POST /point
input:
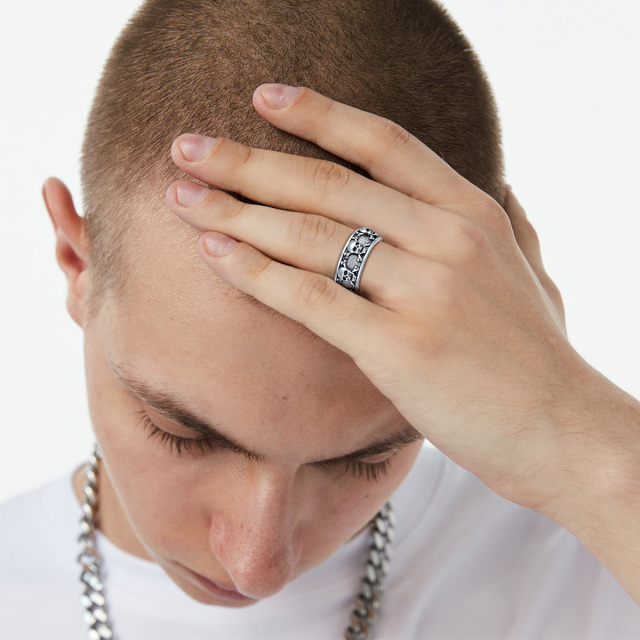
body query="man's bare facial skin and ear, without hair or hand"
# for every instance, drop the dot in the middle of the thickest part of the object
(248, 525)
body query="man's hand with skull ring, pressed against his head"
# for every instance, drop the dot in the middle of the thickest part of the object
(453, 323)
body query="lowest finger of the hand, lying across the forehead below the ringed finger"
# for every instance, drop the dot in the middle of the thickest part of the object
(348, 321)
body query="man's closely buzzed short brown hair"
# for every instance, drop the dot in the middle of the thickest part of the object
(192, 65)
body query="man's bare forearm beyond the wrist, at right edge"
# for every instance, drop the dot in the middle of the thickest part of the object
(602, 505)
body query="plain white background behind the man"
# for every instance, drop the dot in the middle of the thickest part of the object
(565, 75)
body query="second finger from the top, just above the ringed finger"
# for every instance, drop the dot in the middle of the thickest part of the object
(306, 184)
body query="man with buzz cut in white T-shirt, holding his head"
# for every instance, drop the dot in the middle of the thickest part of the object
(242, 455)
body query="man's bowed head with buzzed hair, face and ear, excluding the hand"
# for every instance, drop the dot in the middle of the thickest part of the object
(305, 449)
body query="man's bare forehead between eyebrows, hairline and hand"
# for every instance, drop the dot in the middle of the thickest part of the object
(179, 327)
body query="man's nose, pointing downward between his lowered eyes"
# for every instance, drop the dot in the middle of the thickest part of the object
(255, 537)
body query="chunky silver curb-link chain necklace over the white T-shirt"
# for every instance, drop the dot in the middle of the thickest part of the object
(95, 606)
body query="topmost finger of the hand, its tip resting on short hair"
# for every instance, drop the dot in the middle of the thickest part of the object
(390, 154)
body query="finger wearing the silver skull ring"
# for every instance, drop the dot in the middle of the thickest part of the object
(306, 241)
